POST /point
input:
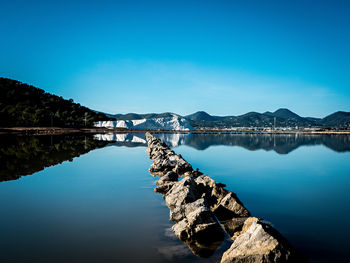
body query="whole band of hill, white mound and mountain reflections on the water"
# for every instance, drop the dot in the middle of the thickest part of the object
(24, 155)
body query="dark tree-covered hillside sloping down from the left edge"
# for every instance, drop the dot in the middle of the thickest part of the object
(28, 106)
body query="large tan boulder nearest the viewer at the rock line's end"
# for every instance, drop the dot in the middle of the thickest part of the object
(258, 242)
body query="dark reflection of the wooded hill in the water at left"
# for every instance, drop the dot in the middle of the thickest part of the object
(24, 155)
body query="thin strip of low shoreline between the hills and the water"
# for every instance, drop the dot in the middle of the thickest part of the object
(96, 130)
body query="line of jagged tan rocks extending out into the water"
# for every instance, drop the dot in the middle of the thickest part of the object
(205, 213)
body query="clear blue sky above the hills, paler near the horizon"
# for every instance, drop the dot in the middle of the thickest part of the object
(223, 57)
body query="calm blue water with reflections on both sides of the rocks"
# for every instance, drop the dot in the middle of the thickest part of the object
(100, 206)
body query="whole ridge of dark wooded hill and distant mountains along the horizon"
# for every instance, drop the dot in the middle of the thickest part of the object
(25, 105)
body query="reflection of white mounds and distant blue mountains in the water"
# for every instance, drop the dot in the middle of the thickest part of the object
(280, 143)
